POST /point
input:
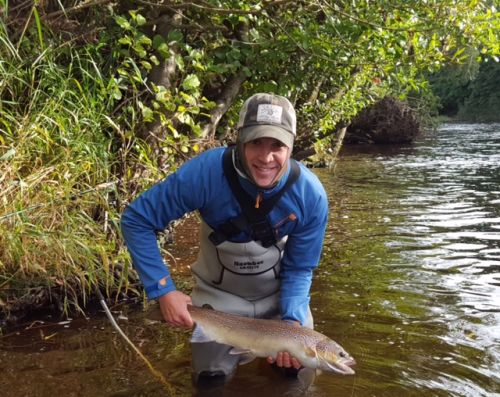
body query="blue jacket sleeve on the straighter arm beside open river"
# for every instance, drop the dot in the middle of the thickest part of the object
(301, 257)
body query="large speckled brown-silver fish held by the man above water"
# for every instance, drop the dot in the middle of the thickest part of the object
(263, 338)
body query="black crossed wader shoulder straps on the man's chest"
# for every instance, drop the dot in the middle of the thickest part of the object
(252, 220)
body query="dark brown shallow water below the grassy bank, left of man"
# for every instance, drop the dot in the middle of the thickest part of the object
(87, 358)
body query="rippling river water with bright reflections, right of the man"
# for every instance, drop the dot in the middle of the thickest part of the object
(415, 240)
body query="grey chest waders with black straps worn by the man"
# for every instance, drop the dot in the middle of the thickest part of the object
(239, 278)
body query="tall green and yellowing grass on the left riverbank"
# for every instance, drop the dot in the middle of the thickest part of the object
(61, 153)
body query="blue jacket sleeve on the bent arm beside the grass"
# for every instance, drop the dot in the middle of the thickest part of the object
(182, 192)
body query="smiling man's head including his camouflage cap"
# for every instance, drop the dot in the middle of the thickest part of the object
(266, 132)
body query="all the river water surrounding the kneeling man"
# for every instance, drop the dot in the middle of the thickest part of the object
(409, 284)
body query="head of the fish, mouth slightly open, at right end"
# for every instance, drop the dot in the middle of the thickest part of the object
(333, 358)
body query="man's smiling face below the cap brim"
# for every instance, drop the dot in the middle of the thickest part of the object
(265, 158)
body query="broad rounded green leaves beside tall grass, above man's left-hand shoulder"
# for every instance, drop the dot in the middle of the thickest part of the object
(176, 108)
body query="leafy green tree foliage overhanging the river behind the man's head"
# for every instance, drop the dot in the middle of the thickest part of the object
(350, 53)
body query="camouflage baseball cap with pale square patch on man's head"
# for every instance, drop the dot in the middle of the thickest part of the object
(267, 116)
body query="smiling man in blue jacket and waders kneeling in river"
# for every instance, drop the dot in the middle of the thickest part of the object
(263, 218)
